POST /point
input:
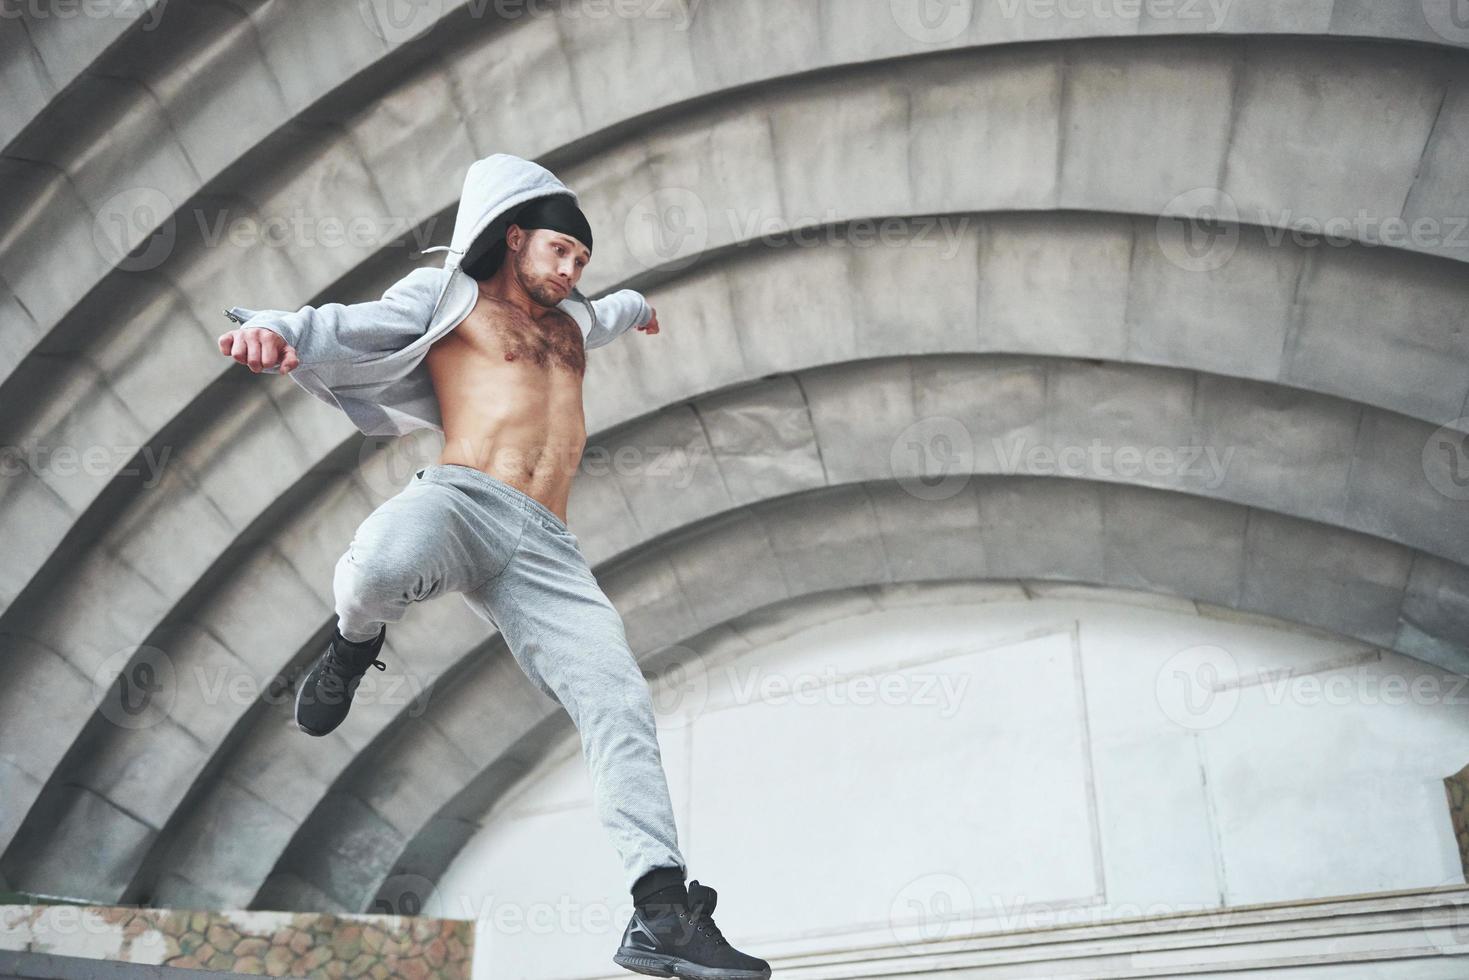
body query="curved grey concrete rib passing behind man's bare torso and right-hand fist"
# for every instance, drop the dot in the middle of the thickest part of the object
(1079, 286)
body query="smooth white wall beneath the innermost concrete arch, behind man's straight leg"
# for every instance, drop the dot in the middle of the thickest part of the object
(906, 769)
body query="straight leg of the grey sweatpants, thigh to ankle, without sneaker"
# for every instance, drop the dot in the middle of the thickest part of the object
(568, 637)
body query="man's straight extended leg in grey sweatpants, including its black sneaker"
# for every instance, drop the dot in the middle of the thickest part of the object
(569, 640)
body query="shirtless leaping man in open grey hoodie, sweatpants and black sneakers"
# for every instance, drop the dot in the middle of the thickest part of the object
(491, 352)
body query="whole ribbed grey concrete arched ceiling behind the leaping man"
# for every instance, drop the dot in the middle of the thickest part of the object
(1031, 298)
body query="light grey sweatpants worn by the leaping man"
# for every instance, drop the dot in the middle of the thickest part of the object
(458, 530)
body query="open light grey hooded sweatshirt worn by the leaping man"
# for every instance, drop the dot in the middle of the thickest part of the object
(368, 358)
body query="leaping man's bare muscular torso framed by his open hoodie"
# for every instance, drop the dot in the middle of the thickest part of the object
(510, 399)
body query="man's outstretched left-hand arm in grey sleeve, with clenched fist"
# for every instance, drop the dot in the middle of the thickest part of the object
(281, 340)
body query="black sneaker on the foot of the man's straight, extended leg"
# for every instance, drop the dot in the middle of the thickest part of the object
(674, 941)
